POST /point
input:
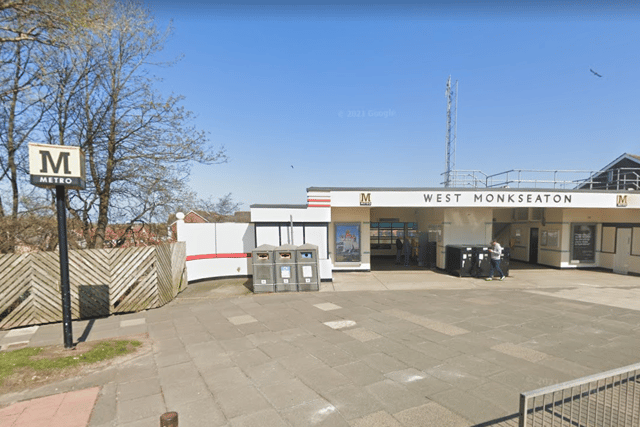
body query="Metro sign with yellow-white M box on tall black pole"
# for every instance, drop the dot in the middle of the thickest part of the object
(59, 166)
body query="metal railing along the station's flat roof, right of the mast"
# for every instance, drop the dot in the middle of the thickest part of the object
(612, 179)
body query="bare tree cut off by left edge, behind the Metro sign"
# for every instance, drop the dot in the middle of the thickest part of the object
(29, 31)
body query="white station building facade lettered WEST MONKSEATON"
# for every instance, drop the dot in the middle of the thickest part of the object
(557, 228)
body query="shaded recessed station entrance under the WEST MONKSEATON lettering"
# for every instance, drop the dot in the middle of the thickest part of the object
(523, 231)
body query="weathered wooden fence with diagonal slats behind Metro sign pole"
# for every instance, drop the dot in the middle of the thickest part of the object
(102, 281)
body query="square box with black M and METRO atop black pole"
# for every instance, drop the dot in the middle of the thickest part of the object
(53, 165)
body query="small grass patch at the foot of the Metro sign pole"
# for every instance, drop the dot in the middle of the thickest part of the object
(32, 365)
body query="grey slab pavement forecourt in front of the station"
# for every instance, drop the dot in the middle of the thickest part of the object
(386, 348)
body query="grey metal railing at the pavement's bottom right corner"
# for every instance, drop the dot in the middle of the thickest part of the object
(609, 399)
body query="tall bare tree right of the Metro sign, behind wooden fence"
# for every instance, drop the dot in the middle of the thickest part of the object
(138, 144)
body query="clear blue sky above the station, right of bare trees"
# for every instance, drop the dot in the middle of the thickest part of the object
(355, 95)
